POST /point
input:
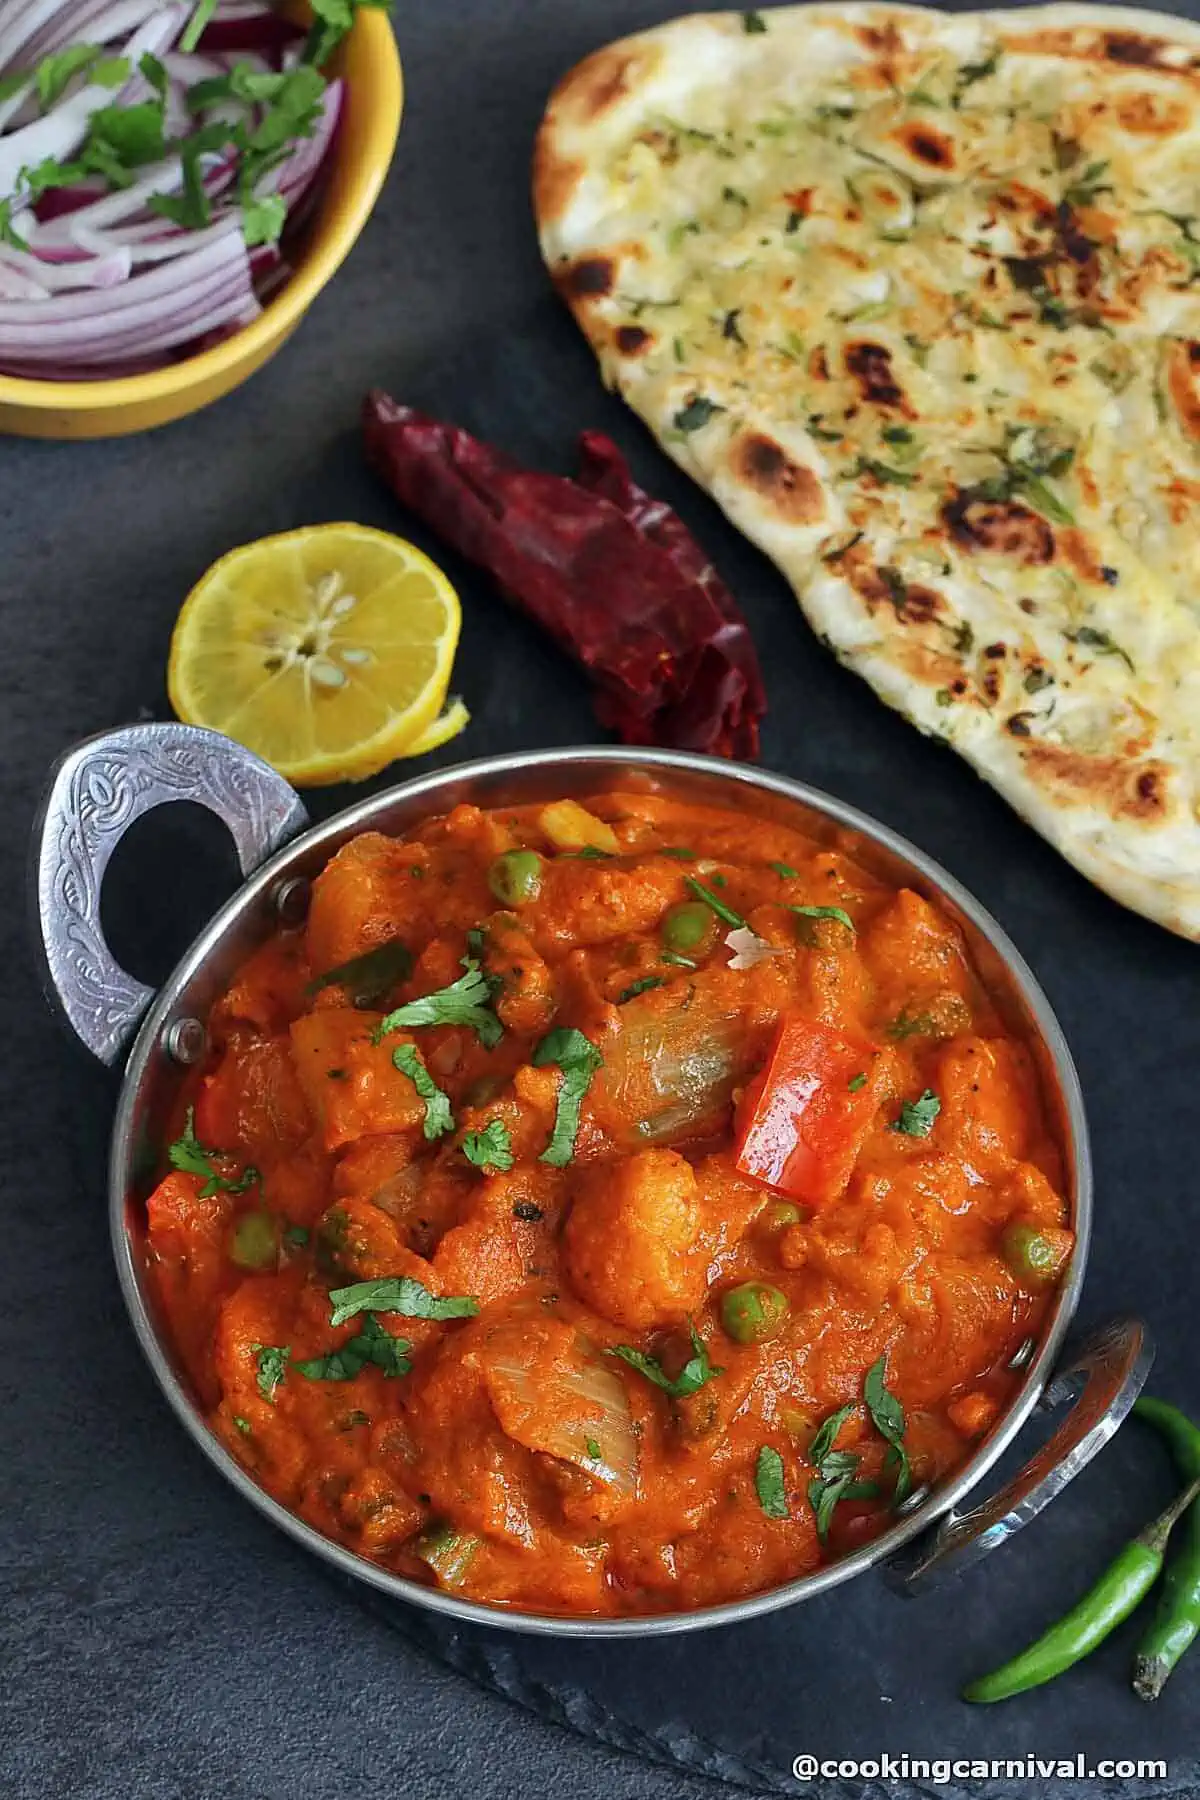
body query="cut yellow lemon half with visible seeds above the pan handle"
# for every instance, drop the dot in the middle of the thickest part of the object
(327, 651)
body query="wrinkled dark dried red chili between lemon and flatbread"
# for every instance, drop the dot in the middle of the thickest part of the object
(611, 573)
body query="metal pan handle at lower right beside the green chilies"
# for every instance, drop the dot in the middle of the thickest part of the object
(1102, 1374)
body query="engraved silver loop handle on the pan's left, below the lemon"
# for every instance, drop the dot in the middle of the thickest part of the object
(96, 791)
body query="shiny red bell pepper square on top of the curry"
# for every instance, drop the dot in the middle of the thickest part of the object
(805, 1119)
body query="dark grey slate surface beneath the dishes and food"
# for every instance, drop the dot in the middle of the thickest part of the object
(157, 1641)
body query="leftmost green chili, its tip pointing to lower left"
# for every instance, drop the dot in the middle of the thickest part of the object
(1124, 1585)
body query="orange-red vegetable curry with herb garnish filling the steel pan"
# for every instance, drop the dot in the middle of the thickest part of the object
(519, 1461)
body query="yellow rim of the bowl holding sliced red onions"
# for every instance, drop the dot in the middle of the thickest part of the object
(285, 310)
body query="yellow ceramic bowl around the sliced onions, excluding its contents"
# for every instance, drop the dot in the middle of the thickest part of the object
(370, 127)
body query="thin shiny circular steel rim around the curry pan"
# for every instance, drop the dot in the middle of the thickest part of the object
(361, 816)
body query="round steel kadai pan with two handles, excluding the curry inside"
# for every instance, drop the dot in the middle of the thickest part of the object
(102, 786)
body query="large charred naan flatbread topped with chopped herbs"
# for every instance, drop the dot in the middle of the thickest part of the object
(917, 298)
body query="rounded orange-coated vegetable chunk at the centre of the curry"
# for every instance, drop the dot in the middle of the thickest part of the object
(634, 1246)
